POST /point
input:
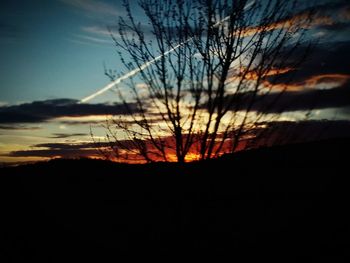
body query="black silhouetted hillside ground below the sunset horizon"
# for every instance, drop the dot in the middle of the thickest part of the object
(289, 201)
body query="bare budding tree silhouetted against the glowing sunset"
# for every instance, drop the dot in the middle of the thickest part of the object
(205, 66)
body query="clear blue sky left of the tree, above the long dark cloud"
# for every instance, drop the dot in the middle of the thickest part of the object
(49, 49)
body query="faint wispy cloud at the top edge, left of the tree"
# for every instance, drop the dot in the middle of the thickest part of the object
(94, 7)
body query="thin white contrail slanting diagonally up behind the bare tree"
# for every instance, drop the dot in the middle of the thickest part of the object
(147, 64)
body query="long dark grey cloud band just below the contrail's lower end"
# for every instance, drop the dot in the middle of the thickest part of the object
(40, 111)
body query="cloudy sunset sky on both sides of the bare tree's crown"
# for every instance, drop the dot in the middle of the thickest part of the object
(53, 54)
